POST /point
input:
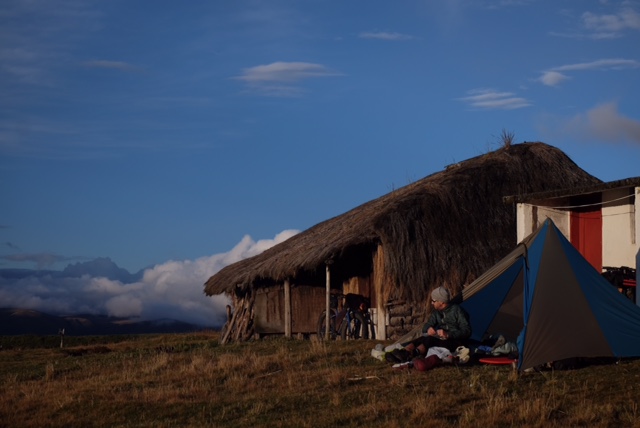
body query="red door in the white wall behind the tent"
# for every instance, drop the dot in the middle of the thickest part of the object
(586, 236)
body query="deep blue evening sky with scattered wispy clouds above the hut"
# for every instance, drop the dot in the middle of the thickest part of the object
(163, 132)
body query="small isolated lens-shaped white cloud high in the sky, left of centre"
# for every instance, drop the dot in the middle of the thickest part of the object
(276, 79)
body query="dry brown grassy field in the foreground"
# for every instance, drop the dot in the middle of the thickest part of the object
(190, 380)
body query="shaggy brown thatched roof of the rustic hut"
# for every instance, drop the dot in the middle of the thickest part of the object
(446, 228)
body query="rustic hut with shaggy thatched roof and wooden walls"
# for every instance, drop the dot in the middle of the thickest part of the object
(445, 229)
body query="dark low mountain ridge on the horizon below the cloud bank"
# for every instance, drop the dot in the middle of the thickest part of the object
(15, 321)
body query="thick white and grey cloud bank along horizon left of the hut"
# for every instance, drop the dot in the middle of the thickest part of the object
(172, 290)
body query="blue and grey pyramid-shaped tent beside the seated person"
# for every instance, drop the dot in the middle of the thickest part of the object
(549, 300)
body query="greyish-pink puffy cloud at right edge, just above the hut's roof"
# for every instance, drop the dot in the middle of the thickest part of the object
(603, 123)
